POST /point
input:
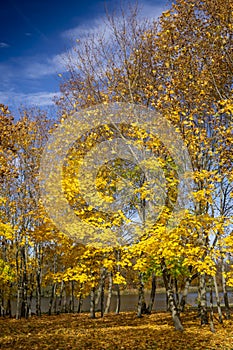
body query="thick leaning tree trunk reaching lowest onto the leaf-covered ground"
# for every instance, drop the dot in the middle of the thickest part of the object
(170, 295)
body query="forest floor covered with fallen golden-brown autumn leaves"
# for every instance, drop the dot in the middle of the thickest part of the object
(113, 332)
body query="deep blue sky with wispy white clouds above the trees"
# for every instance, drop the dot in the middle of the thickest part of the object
(34, 39)
